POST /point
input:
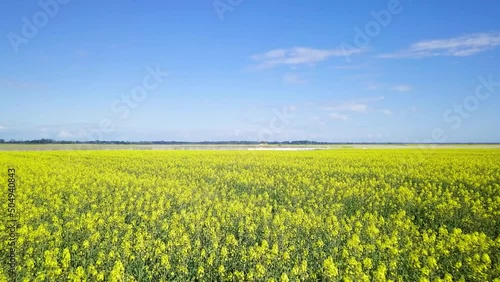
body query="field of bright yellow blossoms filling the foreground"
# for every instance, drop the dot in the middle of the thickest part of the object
(329, 215)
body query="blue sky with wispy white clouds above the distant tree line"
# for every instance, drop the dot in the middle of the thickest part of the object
(353, 71)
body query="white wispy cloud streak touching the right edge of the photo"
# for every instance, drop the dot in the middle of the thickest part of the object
(461, 46)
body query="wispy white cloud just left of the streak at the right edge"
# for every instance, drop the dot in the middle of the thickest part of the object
(297, 56)
